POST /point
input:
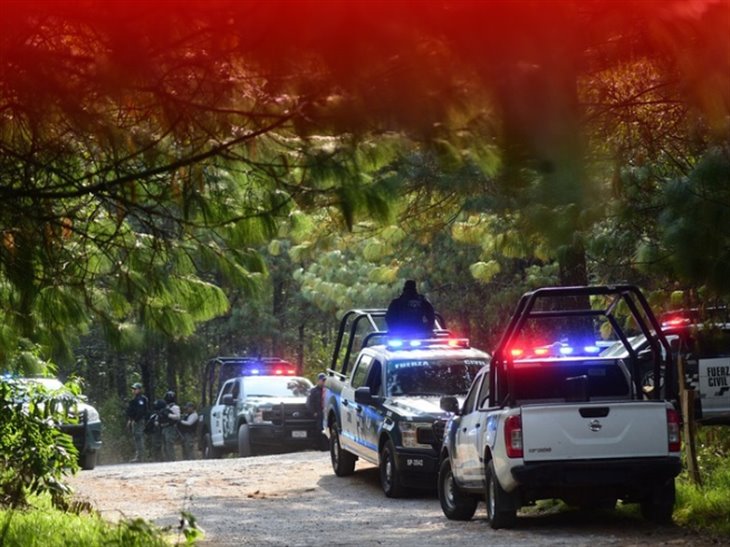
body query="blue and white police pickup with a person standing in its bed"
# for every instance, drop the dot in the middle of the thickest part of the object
(385, 408)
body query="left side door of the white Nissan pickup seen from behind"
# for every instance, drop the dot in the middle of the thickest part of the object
(465, 459)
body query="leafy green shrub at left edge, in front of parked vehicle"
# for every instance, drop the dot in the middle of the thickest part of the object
(34, 455)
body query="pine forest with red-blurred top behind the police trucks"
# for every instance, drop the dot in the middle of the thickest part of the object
(181, 180)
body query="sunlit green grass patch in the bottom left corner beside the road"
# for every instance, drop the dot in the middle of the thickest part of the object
(42, 525)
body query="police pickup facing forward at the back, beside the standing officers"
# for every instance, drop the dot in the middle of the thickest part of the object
(261, 406)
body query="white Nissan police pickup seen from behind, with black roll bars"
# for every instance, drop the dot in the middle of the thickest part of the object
(550, 418)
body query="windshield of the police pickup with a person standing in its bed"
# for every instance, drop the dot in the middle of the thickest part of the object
(434, 377)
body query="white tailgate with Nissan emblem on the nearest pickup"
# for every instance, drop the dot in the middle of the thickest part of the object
(594, 430)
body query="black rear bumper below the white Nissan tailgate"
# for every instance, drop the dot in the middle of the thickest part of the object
(627, 474)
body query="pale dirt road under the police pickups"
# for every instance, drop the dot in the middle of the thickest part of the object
(295, 499)
